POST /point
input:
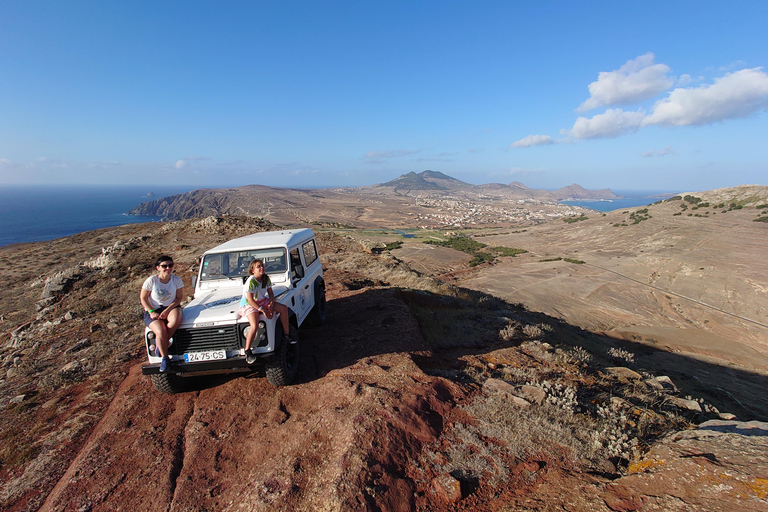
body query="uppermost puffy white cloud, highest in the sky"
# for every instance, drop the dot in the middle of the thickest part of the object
(637, 80)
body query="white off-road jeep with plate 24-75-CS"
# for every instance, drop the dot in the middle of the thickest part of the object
(211, 336)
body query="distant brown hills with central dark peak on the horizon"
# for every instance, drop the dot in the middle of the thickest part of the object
(395, 204)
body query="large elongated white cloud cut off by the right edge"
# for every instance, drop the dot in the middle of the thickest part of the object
(732, 96)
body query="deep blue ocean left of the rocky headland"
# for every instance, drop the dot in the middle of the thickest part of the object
(37, 213)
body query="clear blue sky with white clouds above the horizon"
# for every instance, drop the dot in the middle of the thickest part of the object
(627, 95)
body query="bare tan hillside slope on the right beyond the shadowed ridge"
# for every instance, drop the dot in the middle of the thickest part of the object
(684, 276)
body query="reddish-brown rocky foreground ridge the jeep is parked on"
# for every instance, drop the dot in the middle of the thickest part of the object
(416, 395)
